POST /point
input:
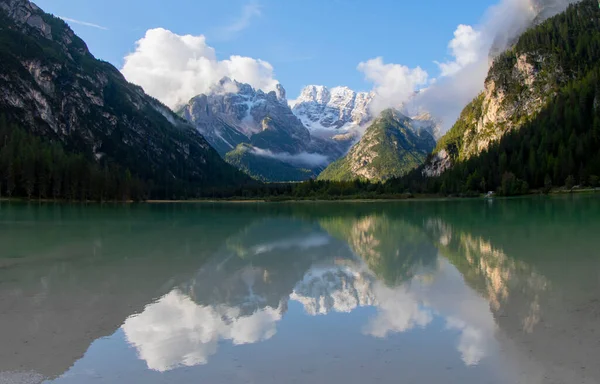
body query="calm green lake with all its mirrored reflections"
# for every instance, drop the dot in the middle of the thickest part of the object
(503, 291)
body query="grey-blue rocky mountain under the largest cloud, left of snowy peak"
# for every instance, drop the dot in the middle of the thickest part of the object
(258, 133)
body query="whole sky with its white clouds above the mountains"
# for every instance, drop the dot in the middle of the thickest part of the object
(428, 55)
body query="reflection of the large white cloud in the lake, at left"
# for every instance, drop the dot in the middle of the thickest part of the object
(175, 331)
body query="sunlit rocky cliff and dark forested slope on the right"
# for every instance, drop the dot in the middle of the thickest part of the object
(538, 121)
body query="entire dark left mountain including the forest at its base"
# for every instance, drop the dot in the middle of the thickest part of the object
(60, 99)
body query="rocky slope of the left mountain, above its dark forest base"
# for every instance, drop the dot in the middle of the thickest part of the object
(52, 86)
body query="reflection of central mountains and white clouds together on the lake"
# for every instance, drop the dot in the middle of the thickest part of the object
(337, 266)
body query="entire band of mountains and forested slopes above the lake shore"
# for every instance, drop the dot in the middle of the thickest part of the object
(72, 127)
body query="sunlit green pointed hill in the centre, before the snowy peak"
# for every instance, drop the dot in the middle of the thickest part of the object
(391, 147)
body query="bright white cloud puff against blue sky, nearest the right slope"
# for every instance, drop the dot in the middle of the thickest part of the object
(465, 48)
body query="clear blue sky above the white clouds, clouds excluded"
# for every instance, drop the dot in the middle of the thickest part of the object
(307, 42)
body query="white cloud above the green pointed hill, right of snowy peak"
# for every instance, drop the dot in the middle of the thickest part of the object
(393, 84)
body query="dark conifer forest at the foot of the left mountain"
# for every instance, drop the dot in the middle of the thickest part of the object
(32, 167)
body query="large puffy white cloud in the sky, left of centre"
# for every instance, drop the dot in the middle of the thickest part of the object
(174, 68)
